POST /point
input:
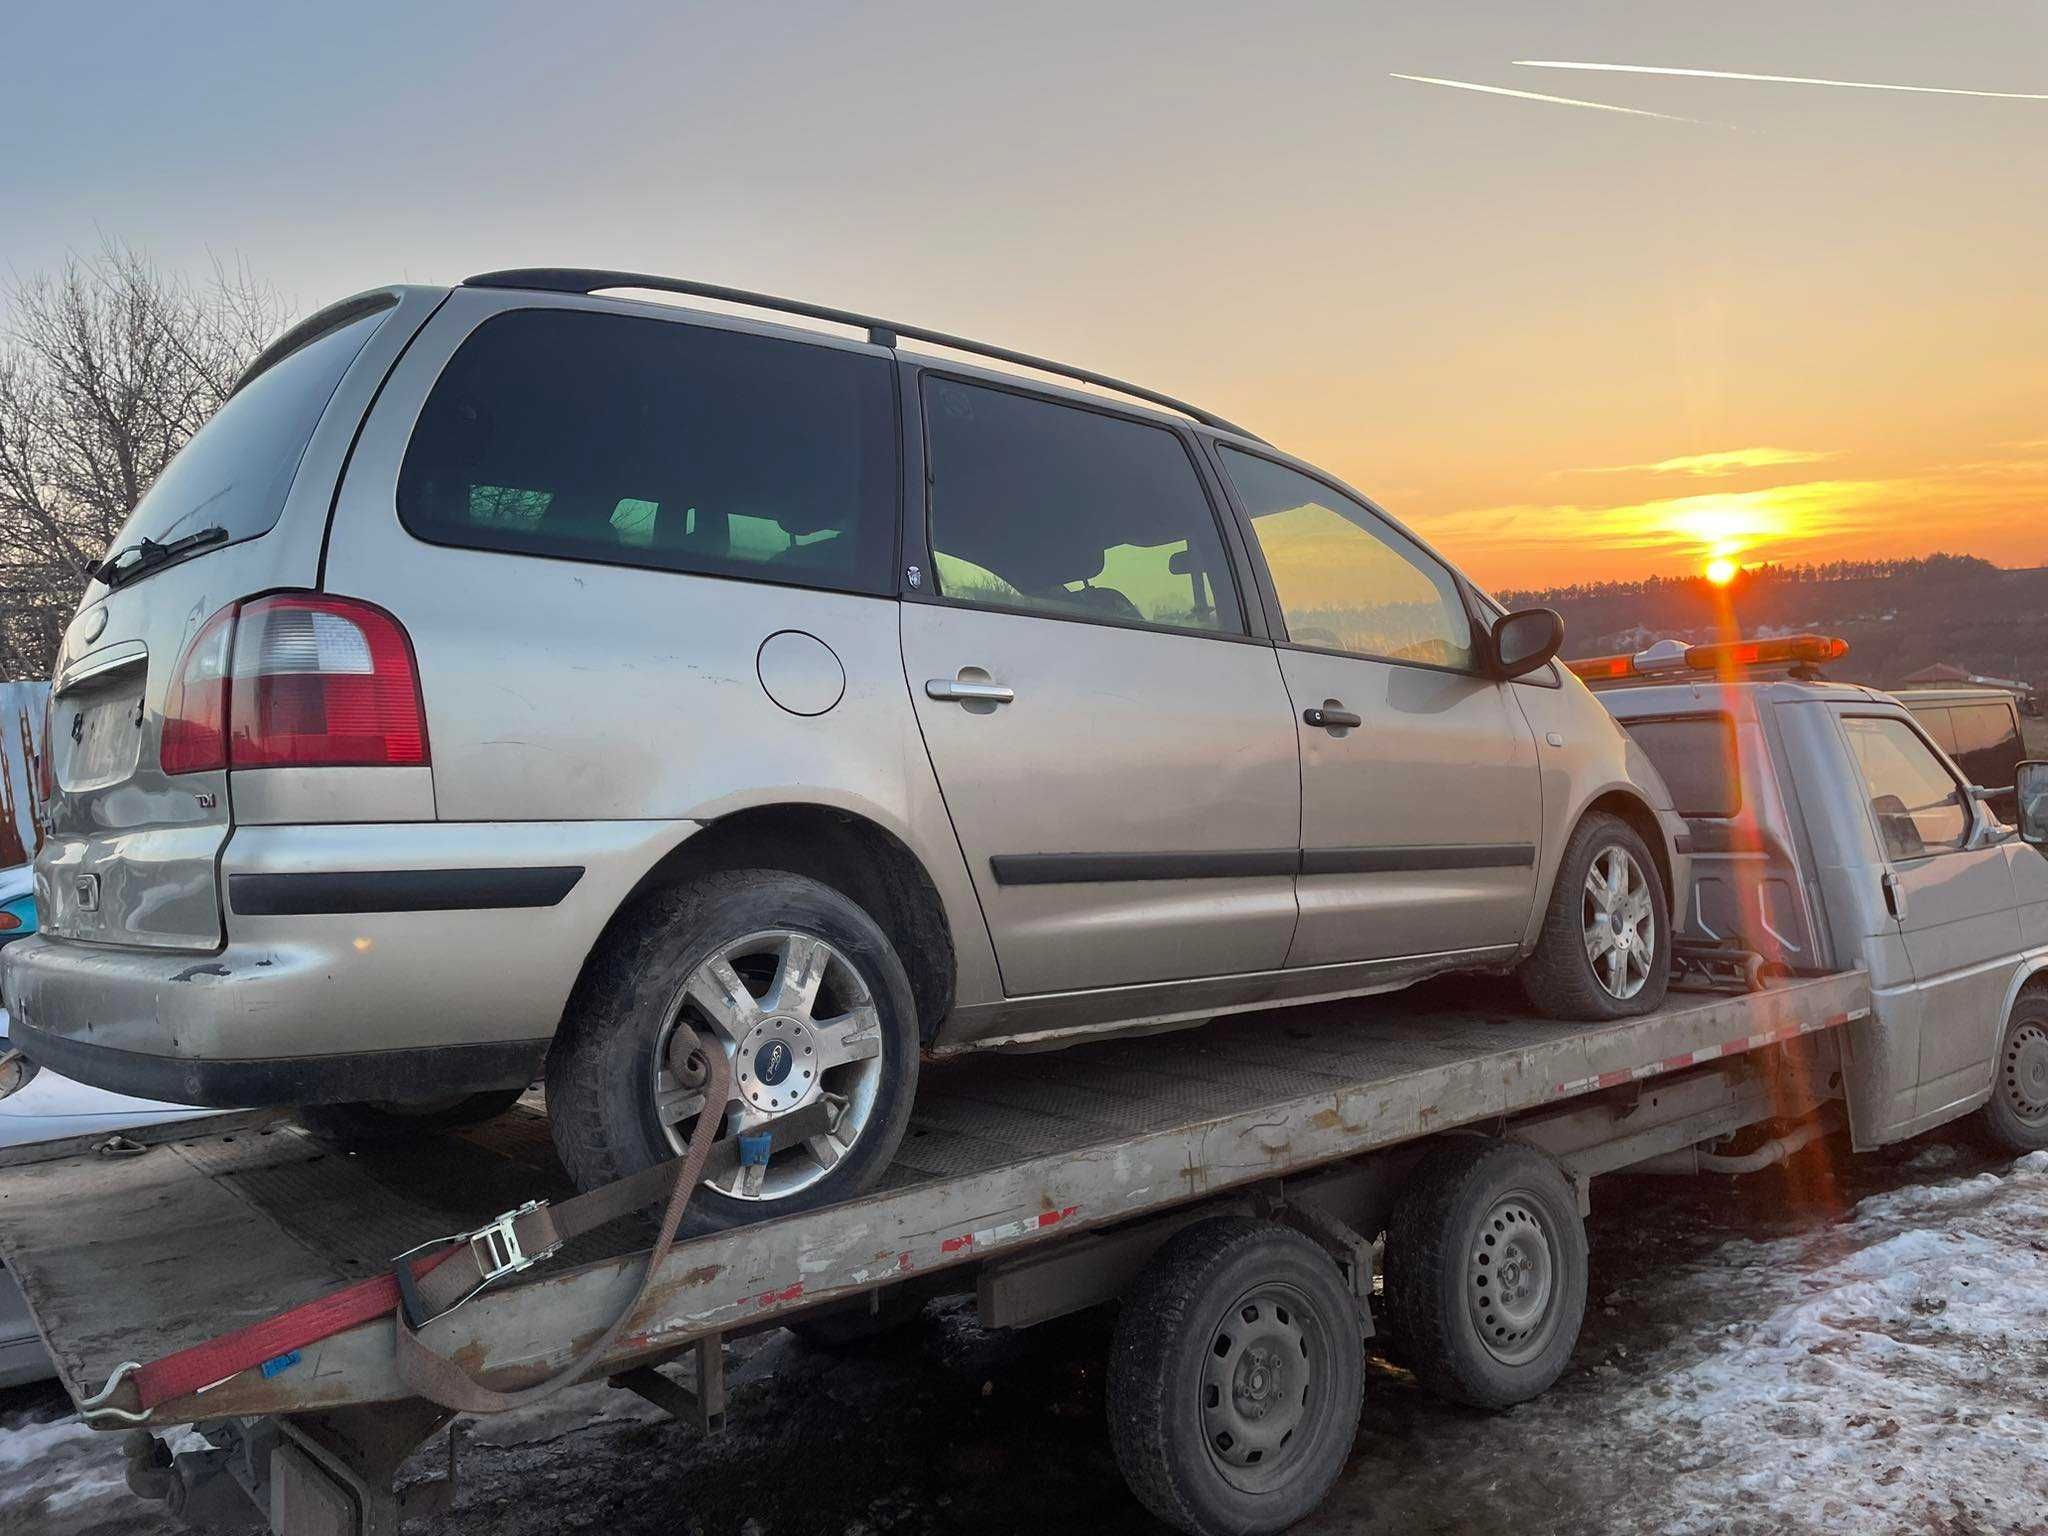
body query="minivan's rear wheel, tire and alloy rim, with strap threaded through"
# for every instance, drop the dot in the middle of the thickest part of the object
(650, 974)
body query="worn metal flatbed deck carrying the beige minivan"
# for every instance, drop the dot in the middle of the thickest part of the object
(206, 1234)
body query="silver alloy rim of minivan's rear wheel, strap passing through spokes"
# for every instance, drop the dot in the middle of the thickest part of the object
(798, 1023)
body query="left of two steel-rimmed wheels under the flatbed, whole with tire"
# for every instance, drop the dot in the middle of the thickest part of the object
(1254, 1304)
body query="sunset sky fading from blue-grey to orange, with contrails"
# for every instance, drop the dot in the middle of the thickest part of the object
(1756, 318)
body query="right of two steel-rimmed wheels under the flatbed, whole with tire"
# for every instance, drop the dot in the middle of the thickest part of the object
(1474, 1211)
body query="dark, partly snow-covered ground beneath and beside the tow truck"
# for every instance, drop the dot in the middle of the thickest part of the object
(1840, 1345)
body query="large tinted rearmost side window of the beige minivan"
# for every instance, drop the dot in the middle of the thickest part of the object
(658, 443)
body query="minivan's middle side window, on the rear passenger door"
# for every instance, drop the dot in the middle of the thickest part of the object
(1066, 511)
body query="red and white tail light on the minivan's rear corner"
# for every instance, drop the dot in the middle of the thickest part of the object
(296, 681)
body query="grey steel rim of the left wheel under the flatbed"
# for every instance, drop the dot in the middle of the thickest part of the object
(1263, 1383)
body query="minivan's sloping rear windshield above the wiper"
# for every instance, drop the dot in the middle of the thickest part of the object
(237, 470)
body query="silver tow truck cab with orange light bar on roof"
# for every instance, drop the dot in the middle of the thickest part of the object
(1830, 830)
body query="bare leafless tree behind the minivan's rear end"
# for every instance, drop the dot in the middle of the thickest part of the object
(105, 370)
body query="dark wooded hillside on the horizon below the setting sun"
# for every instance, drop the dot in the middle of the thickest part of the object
(1897, 615)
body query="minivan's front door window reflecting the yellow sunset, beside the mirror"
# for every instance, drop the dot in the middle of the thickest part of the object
(1347, 579)
